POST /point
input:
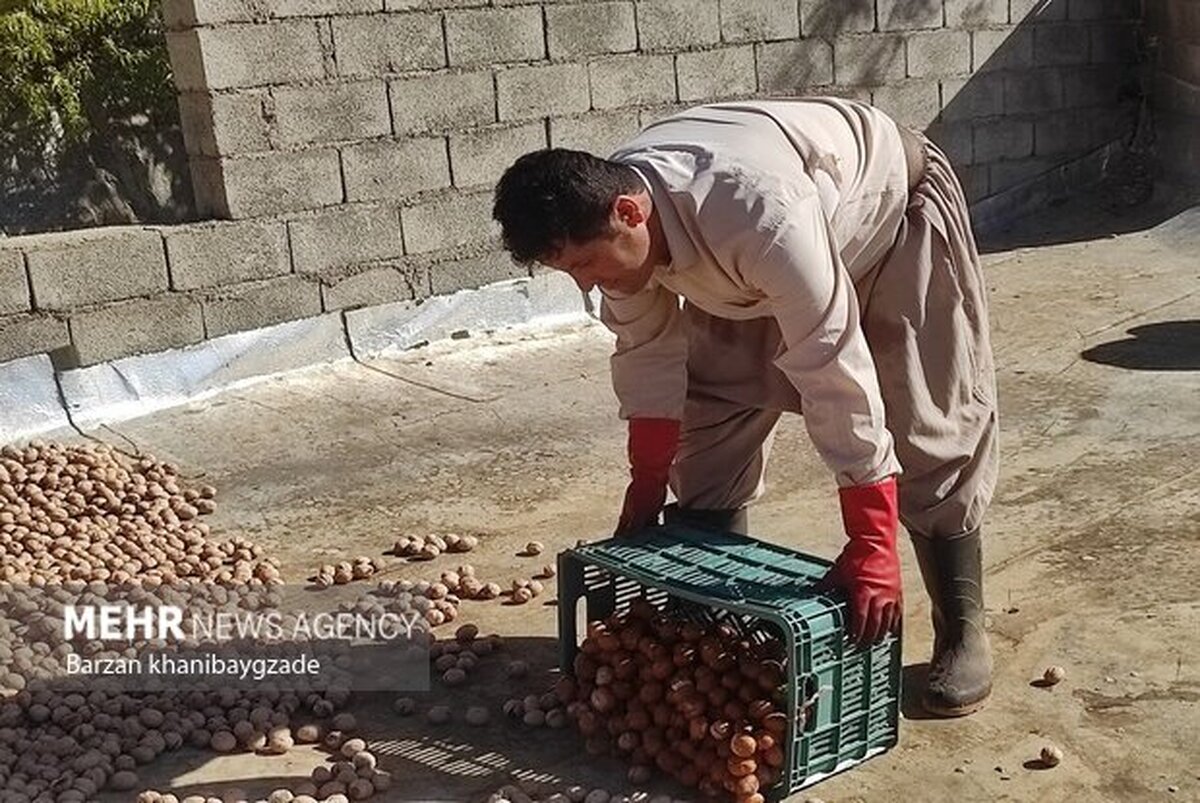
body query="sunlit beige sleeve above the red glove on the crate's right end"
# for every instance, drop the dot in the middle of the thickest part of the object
(825, 352)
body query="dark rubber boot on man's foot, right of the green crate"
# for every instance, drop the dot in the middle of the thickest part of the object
(961, 669)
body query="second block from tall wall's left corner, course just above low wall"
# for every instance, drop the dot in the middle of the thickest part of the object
(393, 170)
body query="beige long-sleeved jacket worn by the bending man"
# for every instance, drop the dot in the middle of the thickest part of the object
(770, 208)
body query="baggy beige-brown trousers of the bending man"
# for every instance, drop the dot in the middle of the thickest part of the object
(925, 313)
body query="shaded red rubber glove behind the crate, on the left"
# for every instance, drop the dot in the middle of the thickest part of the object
(653, 444)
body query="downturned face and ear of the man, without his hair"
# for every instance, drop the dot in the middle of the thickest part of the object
(621, 260)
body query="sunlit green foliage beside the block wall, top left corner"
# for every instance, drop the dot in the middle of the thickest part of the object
(71, 70)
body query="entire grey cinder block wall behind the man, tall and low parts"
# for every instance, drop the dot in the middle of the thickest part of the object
(351, 146)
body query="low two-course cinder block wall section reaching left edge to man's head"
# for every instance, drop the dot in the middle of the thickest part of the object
(95, 296)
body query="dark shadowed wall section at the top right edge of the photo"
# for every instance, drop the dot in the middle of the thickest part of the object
(1175, 26)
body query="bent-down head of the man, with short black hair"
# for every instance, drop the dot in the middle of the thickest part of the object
(587, 217)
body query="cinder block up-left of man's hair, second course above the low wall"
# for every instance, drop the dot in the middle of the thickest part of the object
(440, 103)
